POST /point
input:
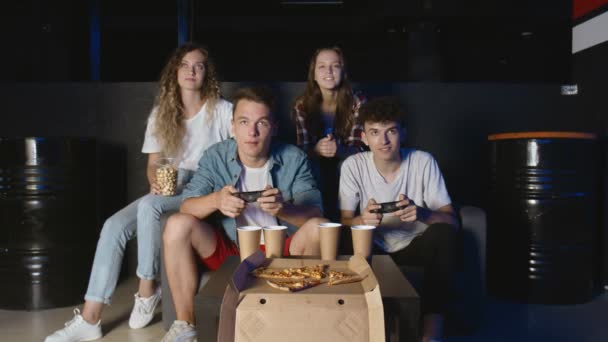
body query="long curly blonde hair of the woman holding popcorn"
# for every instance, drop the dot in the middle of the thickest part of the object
(169, 126)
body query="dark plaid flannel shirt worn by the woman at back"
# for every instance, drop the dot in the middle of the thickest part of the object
(306, 141)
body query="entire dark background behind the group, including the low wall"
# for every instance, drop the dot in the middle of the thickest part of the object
(463, 69)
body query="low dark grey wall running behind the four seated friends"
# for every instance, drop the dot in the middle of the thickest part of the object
(450, 120)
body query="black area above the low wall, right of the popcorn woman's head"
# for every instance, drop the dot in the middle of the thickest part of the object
(391, 40)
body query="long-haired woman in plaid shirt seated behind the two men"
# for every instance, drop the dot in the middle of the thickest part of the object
(325, 117)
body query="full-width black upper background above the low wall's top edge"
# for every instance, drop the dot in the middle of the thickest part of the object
(272, 40)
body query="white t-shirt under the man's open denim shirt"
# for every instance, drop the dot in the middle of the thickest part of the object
(255, 179)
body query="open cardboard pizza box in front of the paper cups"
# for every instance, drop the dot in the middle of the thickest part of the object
(253, 311)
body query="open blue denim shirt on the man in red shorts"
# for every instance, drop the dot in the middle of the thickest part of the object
(289, 171)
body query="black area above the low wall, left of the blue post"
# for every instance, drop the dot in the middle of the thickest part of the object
(45, 40)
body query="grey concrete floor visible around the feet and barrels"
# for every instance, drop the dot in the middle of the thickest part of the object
(504, 321)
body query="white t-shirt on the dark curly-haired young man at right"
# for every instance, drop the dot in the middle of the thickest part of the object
(419, 179)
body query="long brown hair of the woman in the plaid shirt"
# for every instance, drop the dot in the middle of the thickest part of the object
(312, 99)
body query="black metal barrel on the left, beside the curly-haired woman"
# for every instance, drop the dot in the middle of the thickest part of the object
(48, 226)
